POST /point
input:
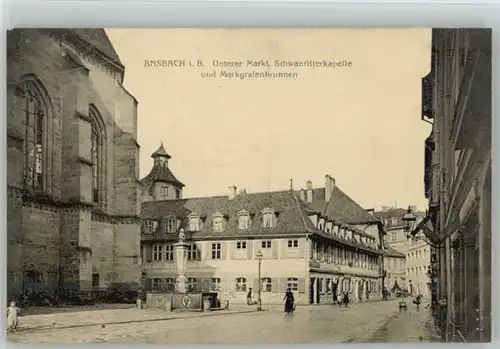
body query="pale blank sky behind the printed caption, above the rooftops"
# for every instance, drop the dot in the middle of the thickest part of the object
(360, 124)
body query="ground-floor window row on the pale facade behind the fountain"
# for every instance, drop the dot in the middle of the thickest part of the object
(214, 284)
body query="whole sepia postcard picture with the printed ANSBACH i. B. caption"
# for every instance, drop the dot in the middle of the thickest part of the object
(249, 185)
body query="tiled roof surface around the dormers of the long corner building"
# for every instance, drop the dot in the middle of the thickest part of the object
(291, 210)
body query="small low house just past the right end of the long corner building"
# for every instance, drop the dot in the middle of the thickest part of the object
(395, 269)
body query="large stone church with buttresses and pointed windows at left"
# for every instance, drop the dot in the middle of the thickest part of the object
(73, 205)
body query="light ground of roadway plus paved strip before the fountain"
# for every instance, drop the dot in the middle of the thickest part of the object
(310, 324)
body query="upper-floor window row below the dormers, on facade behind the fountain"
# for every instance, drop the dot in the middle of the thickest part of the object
(165, 252)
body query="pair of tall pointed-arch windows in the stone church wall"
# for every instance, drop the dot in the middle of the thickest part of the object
(33, 107)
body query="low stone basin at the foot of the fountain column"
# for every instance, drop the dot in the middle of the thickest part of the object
(176, 301)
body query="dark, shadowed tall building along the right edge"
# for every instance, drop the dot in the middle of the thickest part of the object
(457, 102)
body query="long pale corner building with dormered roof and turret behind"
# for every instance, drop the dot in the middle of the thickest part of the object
(316, 241)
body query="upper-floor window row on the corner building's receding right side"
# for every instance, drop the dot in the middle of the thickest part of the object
(338, 255)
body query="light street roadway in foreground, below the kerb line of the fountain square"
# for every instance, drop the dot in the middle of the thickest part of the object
(318, 324)
